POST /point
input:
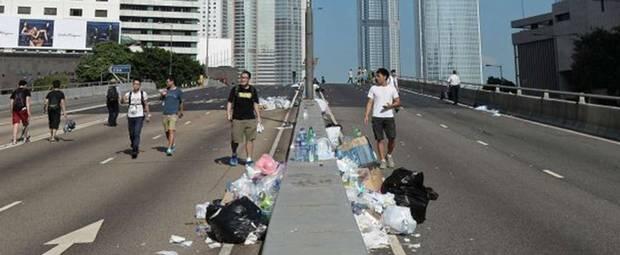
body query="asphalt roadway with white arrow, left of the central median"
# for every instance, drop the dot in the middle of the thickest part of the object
(49, 190)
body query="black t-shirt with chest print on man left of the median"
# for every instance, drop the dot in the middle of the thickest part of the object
(243, 100)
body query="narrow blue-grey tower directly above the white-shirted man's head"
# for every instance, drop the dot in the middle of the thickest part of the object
(378, 34)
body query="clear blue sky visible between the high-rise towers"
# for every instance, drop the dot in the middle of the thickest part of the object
(336, 35)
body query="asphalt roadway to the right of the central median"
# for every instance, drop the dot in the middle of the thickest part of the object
(506, 186)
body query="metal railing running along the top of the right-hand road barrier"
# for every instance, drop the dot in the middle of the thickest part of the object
(578, 97)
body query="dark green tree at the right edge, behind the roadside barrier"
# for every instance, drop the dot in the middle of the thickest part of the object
(597, 61)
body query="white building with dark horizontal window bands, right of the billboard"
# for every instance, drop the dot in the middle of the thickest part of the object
(169, 24)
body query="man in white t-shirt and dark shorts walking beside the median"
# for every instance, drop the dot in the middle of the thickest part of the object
(382, 100)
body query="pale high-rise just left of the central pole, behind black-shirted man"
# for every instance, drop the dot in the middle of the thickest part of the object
(268, 39)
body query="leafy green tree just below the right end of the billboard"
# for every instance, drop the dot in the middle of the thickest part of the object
(104, 55)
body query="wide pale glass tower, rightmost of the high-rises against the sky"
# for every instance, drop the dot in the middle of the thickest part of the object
(448, 35)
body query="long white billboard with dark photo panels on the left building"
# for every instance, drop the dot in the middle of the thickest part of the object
(64, 34)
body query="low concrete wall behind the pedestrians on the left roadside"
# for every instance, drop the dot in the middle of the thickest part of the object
(39, 96)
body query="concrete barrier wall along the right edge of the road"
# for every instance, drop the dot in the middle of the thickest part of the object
(603, 121)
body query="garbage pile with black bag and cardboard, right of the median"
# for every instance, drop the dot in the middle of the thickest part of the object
(395, 205)
